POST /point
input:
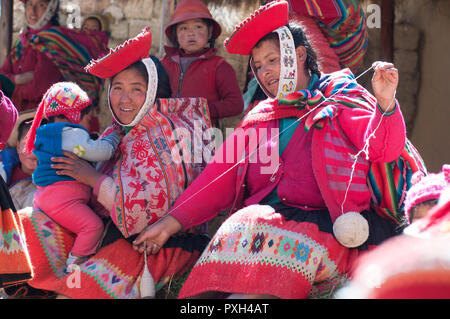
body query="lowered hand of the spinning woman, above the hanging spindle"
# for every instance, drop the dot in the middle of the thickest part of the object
(155, 236)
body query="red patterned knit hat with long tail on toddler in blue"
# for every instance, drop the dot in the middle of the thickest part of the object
(62, 98)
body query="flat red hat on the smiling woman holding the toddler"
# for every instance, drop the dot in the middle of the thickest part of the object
(122, 56)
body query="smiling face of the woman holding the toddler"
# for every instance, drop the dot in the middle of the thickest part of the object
(127, 94)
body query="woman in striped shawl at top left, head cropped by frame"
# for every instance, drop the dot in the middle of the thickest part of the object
(46, 53)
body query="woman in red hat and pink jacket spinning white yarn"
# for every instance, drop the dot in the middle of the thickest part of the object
(301, 208)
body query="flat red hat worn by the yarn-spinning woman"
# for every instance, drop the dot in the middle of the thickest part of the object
(266, 19)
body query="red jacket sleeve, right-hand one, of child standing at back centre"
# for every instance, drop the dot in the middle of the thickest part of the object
(230, 101)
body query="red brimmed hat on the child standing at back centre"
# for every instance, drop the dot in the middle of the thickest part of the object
(192, 9)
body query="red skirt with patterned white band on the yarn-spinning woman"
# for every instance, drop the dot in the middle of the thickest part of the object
(257, 250)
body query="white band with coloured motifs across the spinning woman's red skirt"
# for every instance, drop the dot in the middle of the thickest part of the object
(271, 246)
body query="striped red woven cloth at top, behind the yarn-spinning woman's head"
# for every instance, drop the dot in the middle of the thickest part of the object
(342, 22)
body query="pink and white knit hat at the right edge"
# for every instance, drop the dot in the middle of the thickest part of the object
(426, 187)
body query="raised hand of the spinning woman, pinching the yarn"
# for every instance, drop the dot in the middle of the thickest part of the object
(384, 84)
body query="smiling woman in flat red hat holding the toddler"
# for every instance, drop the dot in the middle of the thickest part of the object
(132, 190)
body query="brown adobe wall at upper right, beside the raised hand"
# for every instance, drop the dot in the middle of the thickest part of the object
(421, 46)
